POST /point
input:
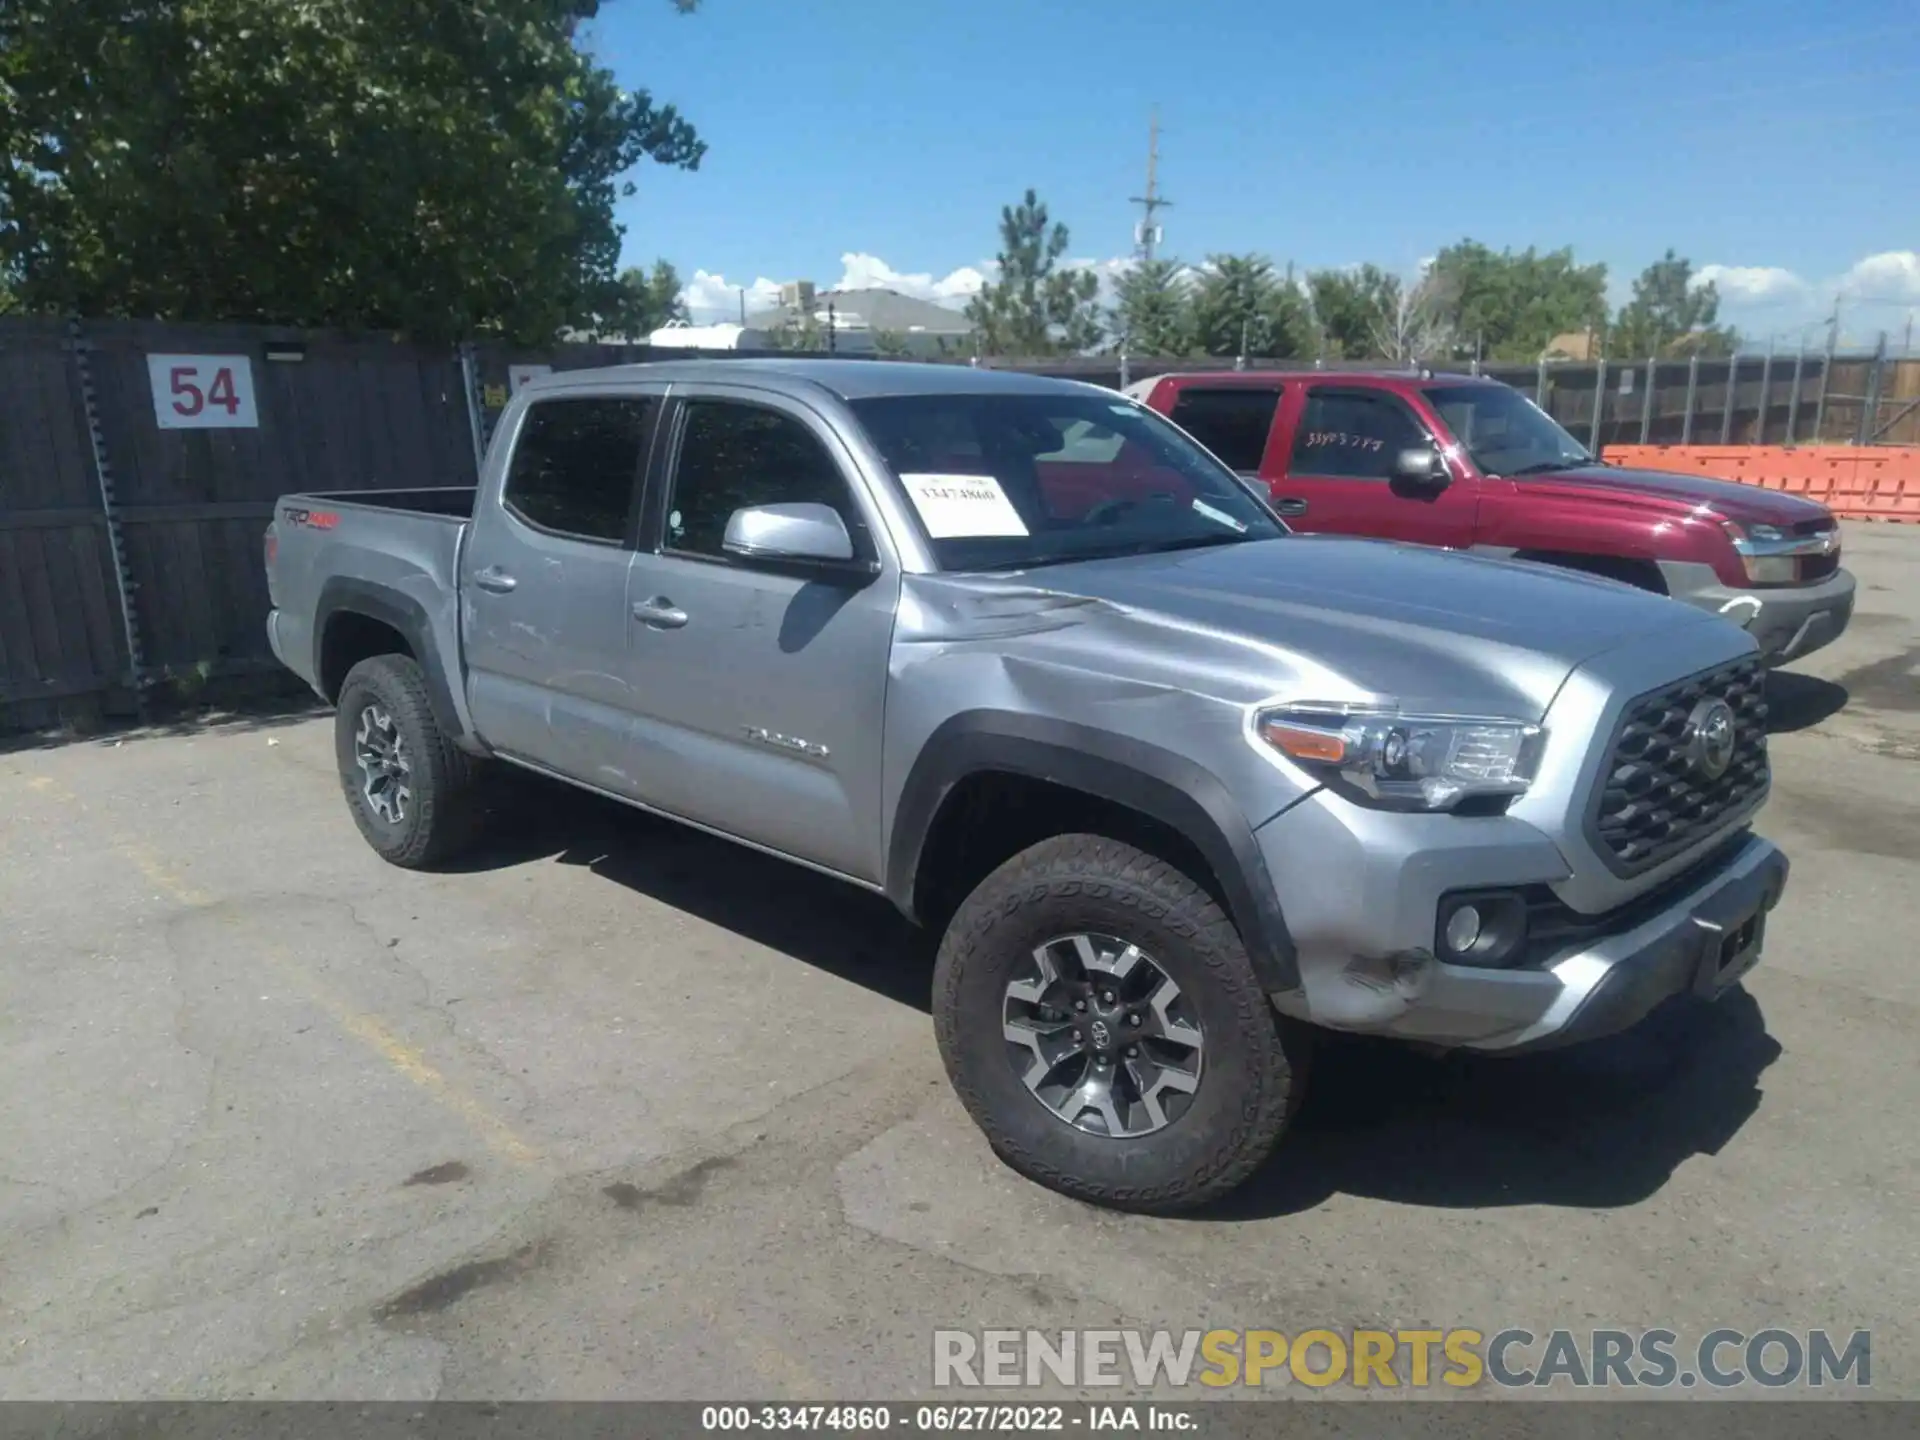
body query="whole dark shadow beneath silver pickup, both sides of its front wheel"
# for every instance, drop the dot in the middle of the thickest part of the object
(1595, 1126)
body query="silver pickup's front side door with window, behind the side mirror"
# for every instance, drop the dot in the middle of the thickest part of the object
(761, 683)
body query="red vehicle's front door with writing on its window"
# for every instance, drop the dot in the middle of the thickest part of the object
(1339, 469)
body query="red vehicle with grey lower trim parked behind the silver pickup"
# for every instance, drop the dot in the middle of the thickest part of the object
(1474, 466)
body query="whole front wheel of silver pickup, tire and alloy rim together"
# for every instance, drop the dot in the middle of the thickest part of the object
(1105, 1028)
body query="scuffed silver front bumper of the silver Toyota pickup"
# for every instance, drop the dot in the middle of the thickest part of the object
(1364, 946)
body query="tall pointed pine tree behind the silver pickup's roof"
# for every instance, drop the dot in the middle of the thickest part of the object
(1036, 306)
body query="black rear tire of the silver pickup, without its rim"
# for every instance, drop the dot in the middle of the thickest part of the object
(444, 811)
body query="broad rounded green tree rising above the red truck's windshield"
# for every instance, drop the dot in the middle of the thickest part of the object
(1510, 306)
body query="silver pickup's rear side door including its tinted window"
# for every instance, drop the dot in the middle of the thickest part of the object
(542, 581)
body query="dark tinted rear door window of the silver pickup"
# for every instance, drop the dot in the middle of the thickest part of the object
(577, 466)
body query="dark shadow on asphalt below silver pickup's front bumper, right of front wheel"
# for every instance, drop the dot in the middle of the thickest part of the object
(1595, 1126)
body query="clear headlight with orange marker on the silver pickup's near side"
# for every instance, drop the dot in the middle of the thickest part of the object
(1406, 761)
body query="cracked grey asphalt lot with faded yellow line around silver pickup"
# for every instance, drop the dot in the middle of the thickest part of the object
(617, 1111)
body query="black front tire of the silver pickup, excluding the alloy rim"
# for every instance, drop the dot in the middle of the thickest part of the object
(1247, 1092)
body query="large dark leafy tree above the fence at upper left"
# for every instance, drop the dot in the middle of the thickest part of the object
(377, 164)
